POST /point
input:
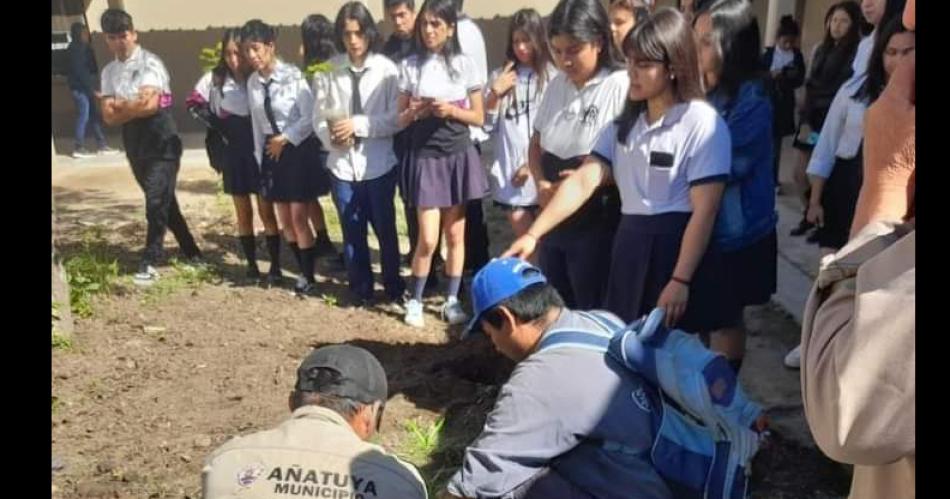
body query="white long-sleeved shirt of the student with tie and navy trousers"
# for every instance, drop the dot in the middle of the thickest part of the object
(379, 90)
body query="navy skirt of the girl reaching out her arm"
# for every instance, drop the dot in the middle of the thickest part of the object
(646, 249)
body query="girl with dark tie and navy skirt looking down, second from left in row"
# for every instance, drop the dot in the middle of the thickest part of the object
(281, 107)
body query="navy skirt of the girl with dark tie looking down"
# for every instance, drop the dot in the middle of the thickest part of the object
(299, 176)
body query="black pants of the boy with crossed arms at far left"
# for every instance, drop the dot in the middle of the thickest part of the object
(157, 178)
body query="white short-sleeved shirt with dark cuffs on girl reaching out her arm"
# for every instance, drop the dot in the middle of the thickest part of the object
(693, 140)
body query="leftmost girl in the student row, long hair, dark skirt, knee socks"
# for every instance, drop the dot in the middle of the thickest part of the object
(223, 93)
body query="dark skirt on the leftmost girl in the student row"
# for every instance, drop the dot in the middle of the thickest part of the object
(240, 172)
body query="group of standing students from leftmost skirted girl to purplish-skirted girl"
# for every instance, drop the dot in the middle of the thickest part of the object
(367, 122)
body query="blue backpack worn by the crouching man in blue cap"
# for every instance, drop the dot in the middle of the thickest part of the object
(705, 441)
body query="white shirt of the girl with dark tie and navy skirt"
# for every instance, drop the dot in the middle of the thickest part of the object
(291, 102)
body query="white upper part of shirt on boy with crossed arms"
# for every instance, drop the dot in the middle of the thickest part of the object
(125, 79)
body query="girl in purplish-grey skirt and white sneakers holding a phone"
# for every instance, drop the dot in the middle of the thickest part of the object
(440, 97)
